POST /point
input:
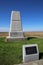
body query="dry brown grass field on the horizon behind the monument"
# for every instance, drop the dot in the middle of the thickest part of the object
(26, 34)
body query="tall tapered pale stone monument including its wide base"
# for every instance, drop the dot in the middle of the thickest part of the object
(15, 32)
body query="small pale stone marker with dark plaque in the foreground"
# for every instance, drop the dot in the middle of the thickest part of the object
(30, 52)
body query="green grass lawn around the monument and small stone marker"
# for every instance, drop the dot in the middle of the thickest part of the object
(11, 52)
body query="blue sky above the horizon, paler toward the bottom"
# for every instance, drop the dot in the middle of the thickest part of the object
(31, 13)
